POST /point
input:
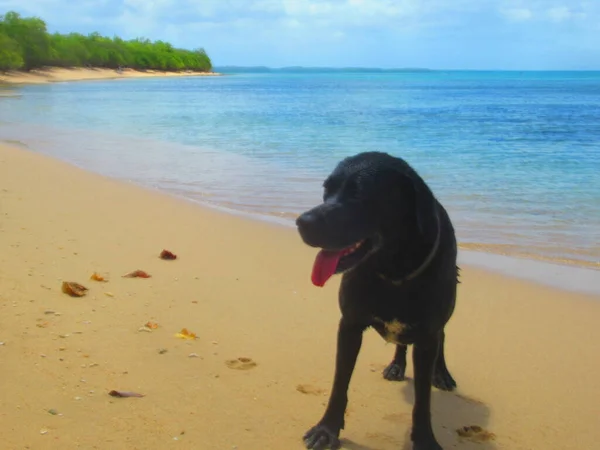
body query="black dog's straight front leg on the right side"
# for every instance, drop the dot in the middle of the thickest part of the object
(424, 358)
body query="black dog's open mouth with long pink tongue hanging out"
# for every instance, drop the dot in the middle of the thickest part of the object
(329, 262)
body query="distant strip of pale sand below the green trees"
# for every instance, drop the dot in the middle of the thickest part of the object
(60, 74)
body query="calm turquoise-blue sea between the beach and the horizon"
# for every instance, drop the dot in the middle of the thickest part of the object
(514, 156)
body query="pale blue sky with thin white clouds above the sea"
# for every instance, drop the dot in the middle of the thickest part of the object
(438, 34)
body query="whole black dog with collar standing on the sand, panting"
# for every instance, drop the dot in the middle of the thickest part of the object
(382, 227)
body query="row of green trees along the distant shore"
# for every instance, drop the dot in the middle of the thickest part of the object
(25, 44)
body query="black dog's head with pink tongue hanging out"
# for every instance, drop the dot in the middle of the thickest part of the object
(373, 206)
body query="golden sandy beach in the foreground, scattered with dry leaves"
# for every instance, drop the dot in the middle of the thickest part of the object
(525, 356)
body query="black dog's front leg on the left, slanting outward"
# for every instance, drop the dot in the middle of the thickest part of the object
(326, 433)
